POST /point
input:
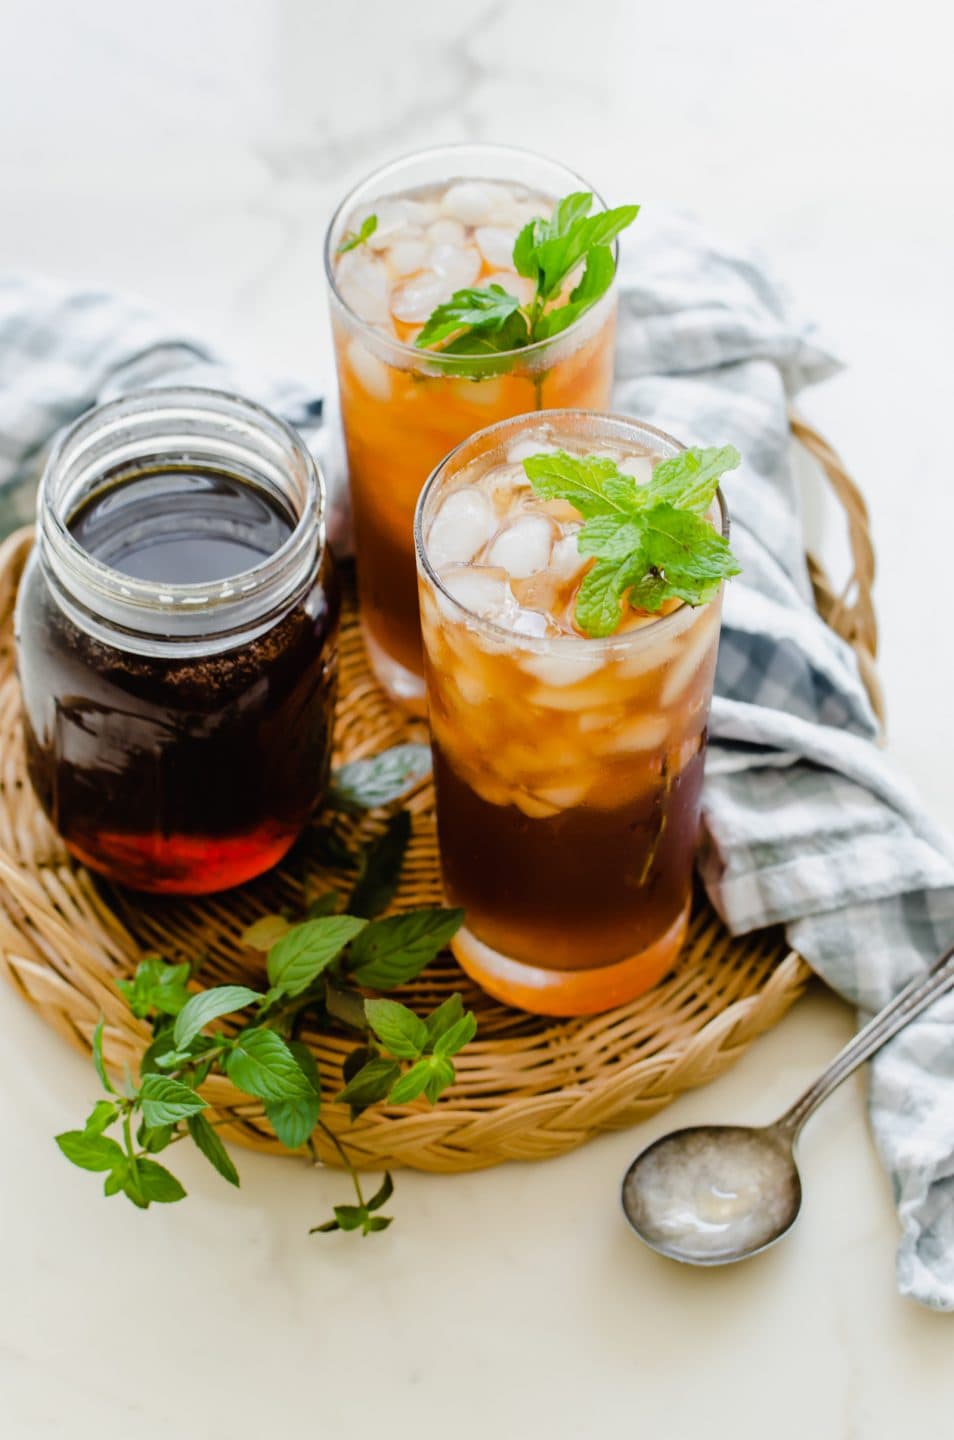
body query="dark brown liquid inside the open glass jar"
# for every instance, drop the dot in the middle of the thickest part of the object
(166, 773)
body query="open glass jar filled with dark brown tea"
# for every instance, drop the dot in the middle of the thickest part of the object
(178, 642)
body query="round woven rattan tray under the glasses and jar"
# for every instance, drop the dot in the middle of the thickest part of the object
(528, 1088)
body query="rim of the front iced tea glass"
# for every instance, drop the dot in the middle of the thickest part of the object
(652, 633)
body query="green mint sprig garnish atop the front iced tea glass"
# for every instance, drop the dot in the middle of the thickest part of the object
(652, 542)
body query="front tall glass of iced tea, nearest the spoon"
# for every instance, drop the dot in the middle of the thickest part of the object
(569, 768)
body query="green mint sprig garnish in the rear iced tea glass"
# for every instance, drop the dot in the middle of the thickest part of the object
(489, 320)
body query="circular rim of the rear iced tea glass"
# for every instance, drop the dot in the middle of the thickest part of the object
(407, 349)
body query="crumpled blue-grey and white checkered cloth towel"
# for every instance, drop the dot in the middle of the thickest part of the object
(808, 827)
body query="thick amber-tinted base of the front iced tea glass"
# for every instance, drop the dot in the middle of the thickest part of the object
(569, 993)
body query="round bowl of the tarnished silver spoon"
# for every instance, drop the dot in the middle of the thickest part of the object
(714, 1193)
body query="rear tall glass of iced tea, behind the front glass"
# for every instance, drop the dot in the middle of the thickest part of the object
(443, 221)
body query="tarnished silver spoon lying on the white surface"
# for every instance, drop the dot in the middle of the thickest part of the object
(713, 1194)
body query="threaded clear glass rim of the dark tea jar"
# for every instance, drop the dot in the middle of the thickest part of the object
(153, 597)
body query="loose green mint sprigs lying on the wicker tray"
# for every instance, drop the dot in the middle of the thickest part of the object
(319, 968)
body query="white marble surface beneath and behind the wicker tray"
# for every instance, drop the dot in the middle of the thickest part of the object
(191, 152)
